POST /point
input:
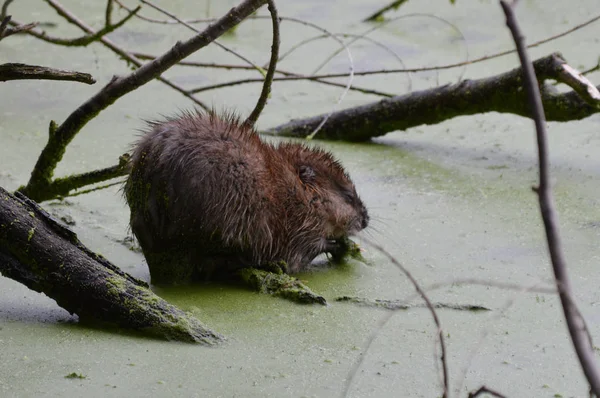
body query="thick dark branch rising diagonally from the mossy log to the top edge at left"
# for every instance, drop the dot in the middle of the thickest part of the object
(41, 176)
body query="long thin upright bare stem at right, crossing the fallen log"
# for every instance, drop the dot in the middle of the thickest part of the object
(575, 323)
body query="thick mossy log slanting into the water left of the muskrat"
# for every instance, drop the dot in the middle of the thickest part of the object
(44, 255)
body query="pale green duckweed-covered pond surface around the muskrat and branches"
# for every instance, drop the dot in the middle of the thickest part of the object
(450, 202)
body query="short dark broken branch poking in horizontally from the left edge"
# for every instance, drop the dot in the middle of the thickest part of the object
(34, 72)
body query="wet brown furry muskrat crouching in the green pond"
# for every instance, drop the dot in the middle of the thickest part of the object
(208, 196)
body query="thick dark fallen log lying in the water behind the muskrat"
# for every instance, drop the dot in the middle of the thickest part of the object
(502, 93)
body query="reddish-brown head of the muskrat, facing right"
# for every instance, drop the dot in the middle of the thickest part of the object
(331, 194)
